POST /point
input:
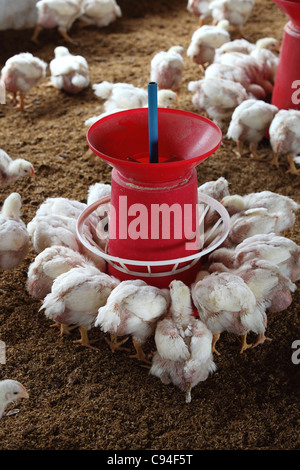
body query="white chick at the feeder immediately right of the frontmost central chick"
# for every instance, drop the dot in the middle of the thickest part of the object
(225, 303)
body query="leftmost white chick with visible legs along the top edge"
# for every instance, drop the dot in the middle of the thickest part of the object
(59, 14)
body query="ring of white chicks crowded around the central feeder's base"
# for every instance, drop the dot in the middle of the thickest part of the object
(251, 275)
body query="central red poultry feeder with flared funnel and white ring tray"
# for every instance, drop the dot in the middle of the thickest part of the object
(155, 217)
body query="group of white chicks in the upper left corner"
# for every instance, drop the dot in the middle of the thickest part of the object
(22, 71)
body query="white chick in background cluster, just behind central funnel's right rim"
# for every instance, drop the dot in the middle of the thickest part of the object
(218, 98)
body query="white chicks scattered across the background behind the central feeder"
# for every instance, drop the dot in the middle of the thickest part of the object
(234, 92)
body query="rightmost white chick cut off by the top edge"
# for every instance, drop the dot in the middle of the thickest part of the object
(237, 12)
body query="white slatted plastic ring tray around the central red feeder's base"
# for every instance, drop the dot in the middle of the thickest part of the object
(87, 234)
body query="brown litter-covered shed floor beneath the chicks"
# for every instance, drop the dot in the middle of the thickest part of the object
(82, 399)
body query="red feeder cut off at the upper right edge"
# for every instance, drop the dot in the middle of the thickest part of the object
(286, 92)
